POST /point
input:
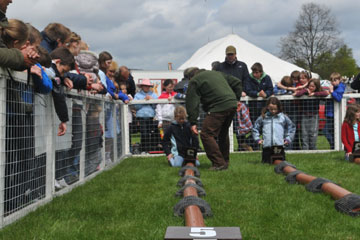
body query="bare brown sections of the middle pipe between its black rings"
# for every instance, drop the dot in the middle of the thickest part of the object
(193, 215)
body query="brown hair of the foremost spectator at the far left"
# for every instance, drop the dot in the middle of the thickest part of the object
(17, 30)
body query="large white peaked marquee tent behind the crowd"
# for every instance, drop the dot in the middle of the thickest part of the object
(247, 52)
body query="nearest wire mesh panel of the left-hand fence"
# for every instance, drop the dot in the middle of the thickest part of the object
(24, 170)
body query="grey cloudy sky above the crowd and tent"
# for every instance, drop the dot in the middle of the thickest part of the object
(147, 34)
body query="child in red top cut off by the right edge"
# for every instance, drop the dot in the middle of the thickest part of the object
(350, 129)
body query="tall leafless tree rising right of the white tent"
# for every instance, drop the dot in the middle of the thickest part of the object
(315, 34)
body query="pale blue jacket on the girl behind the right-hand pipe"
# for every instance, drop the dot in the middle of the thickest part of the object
(274, 129)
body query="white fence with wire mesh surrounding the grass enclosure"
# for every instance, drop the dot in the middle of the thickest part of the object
(36, 164)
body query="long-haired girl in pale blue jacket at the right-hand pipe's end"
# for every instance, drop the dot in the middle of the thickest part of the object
(275, 127)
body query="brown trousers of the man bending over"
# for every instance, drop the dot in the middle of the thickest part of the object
(217, 125)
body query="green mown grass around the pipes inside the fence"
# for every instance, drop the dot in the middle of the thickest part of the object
(135, 200)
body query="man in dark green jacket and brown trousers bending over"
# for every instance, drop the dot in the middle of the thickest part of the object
(219, 95)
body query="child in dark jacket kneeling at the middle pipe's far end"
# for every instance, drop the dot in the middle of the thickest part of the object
(178, 137)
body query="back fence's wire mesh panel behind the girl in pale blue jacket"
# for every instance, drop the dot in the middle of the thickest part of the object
(312, 116)
